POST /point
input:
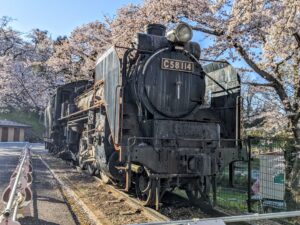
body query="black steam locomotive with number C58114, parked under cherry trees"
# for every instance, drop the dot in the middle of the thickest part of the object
(154, 117)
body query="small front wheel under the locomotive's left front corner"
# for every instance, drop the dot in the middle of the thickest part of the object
(145, 188)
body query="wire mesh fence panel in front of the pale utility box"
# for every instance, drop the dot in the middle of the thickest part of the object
(274, 161)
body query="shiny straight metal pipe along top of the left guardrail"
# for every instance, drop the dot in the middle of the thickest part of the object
(12, 196)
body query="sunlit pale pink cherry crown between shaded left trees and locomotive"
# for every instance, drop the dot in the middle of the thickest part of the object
(75, 56)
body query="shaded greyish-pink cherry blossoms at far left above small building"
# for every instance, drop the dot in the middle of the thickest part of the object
(25, 79)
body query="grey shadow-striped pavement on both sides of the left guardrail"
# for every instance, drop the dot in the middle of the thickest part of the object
(48, 206)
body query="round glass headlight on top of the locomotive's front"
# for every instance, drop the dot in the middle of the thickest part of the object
(181, 33)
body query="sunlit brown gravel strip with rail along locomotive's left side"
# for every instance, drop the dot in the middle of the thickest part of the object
(101, 204)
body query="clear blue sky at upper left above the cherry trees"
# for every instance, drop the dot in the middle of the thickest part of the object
(59, 17)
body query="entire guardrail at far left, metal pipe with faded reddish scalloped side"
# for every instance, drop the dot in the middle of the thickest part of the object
(18, 194)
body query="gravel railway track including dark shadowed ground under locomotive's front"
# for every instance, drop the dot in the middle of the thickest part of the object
(107, 204)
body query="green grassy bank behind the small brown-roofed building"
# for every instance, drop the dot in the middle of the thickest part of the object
(28, 118)
